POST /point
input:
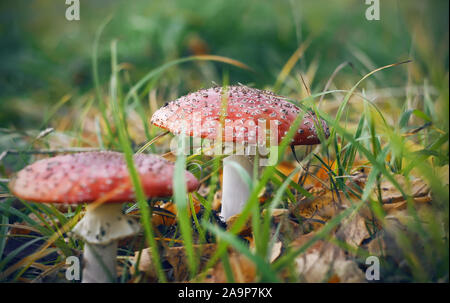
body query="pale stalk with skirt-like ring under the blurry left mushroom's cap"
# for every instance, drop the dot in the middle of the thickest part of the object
(101, 229)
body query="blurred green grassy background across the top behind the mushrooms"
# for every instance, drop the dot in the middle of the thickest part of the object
(44, 57)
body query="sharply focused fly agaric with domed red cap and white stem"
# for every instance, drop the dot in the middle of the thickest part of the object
(199, 115)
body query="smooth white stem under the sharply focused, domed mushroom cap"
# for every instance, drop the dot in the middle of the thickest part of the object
(235, 190)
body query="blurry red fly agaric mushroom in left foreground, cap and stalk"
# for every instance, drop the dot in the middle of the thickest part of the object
(87, 177)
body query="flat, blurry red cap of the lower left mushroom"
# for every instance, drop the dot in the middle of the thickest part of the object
(86, 177)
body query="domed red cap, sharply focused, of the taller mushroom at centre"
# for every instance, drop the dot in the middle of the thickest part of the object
(198, 115)
